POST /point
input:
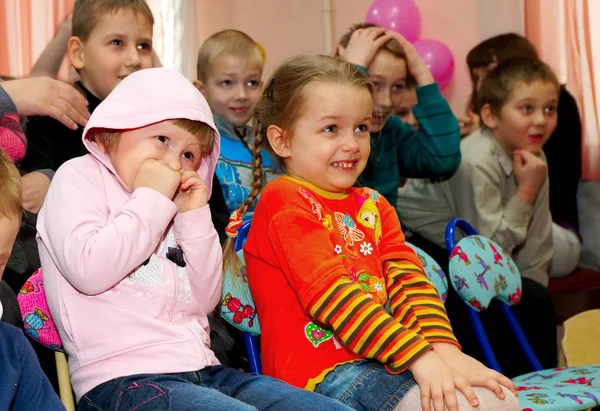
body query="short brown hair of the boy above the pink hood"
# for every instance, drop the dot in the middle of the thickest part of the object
(87, 12)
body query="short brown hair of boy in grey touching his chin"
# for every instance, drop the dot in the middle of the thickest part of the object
(499, 83)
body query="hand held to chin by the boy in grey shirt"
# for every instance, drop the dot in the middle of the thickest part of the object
(530, 173)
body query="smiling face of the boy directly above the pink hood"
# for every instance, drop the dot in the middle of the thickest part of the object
(118, 45)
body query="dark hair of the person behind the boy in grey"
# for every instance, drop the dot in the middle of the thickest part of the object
(497, 49)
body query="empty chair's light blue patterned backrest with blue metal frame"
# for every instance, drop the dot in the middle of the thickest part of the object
(480, 271)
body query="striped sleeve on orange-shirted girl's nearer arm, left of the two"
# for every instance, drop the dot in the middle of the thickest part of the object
(366, 328)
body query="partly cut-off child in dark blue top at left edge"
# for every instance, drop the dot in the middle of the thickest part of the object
(23, 384)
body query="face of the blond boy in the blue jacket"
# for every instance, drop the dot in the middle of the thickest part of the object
(232, 88)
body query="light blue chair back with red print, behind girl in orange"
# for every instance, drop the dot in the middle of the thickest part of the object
(236, 305)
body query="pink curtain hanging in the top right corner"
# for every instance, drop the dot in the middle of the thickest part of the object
(567, 34)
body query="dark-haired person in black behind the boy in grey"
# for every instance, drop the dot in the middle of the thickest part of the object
(562, 148)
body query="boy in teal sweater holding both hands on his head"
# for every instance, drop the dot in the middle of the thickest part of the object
(397, 149)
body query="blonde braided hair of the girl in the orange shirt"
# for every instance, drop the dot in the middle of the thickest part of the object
(281, 104)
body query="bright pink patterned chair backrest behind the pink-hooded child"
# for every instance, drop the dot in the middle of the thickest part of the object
(36, 314)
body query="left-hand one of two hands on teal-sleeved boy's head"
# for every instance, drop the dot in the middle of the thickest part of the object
(364, 45)
